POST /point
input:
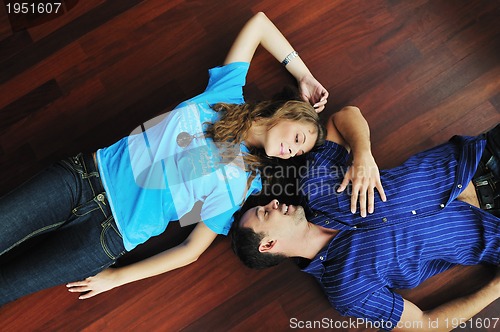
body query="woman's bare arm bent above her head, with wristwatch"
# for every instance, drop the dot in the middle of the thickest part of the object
(259, 30)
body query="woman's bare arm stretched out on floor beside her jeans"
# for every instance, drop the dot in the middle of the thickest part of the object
(185, 253)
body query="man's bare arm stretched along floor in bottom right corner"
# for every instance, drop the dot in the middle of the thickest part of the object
(444, 317)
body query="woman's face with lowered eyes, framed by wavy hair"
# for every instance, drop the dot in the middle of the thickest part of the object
(289, 139)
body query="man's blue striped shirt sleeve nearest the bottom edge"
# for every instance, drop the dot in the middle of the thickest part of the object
(383, 306)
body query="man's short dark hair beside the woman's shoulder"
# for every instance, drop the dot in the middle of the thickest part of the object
(245, 244)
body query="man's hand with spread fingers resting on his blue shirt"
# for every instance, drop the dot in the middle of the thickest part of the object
(365, 177)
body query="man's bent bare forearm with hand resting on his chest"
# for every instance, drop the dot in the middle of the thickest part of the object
(349, 128)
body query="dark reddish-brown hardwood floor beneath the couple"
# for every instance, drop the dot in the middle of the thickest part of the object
(420, 70)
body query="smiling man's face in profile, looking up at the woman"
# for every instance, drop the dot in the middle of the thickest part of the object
(274, 219)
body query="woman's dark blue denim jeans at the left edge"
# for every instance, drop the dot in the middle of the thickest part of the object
(56, 228)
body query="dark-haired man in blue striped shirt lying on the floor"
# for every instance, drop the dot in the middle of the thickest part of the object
(440, 212)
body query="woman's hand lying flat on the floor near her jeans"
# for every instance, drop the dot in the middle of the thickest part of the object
(97, 284)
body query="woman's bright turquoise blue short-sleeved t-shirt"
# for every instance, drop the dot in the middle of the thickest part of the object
(151, 179)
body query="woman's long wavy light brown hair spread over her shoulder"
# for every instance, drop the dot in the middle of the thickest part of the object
(236, 120)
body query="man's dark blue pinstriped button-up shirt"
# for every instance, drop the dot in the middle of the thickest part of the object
(420, 231)
